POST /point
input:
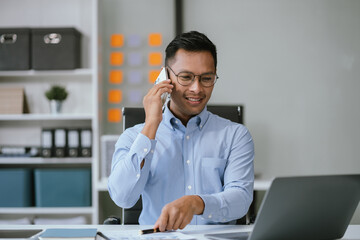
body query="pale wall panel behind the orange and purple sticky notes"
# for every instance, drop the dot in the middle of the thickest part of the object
(140, 18)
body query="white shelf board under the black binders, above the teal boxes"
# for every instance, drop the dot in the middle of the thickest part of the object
(39, 160)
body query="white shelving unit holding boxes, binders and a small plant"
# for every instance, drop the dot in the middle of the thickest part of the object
(79, 110)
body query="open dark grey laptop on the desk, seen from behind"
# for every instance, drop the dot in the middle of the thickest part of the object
(308, 207)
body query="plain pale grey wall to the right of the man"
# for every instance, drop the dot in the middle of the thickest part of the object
(295, 66)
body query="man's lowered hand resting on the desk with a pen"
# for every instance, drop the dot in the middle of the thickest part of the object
(179, 213)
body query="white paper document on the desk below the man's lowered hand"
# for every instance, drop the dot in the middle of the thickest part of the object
(135, 235)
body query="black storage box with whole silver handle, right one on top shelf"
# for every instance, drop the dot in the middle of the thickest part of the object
(55, 48)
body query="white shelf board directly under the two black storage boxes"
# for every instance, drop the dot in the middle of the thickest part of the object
(49, 73)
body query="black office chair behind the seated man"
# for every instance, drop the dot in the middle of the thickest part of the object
(133, 116)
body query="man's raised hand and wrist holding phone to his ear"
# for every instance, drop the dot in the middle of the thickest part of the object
(153, 107)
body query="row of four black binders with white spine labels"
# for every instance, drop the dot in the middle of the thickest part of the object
(62, 142)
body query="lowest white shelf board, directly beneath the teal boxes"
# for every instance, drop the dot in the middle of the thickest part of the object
(46, 210)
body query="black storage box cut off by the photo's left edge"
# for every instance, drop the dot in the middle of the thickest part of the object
(15, 49)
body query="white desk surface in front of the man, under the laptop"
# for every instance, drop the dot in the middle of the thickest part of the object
(197, 231)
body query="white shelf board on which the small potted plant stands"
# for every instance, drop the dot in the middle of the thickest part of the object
(47, 117)
